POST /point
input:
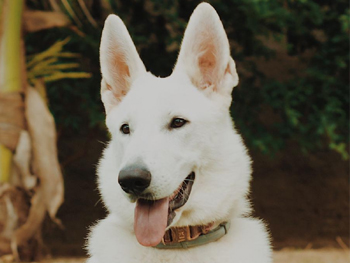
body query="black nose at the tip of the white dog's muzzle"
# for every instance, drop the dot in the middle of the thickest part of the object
(134, 180)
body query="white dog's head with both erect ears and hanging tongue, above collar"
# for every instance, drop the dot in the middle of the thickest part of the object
(174, 152)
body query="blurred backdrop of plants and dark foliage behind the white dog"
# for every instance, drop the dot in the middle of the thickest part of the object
(291, 107)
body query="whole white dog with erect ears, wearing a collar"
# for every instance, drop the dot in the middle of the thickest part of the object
(175, 175)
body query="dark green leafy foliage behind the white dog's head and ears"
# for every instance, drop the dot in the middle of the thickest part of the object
(308, 107)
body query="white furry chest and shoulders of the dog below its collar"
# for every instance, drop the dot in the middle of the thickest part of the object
(116, 244)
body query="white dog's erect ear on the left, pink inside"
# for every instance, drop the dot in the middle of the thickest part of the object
(120, 62)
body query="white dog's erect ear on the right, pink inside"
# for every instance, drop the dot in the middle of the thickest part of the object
(205, 53)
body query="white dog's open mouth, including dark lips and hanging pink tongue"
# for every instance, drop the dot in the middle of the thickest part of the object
(153, 216)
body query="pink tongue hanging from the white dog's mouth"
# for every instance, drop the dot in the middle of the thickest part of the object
(150, 221)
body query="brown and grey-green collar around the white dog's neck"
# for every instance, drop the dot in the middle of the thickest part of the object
(191, 236)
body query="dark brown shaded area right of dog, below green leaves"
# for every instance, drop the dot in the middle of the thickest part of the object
(304, 199)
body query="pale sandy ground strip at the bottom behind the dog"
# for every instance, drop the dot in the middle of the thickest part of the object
(285, 256)
